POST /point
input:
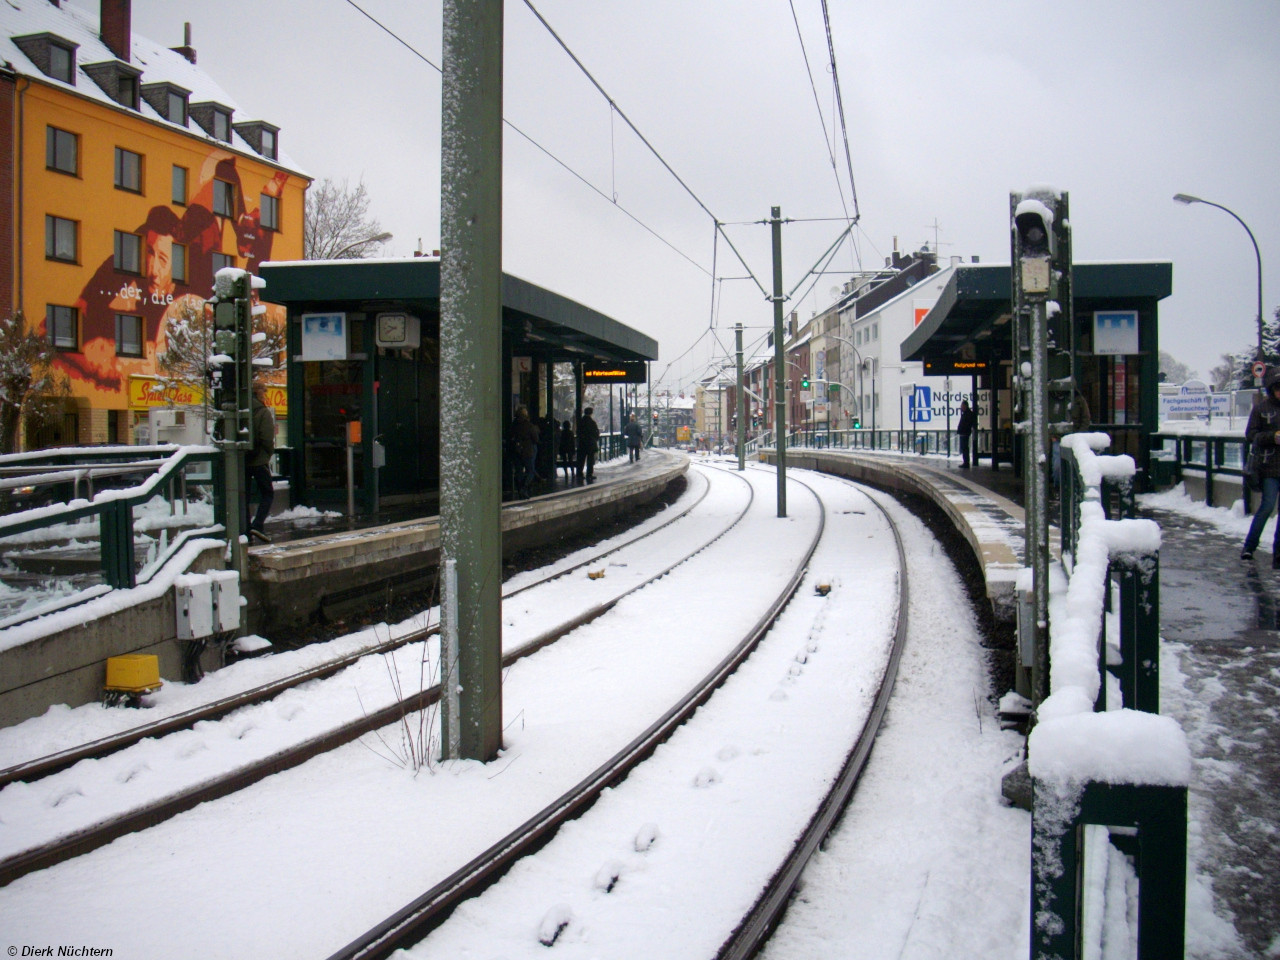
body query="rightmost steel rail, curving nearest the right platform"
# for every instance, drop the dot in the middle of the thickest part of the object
(765, 916)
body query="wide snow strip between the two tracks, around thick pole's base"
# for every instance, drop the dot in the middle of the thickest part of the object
(303, 862)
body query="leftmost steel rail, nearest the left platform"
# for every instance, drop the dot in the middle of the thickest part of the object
(40, 767)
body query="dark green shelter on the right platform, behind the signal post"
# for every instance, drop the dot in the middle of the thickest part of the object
(1117, 360)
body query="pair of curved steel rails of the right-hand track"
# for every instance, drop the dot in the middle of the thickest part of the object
(415, 921)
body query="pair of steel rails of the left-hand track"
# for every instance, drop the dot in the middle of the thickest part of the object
(103, 833)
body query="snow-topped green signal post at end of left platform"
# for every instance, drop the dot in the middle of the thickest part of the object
(234, 395)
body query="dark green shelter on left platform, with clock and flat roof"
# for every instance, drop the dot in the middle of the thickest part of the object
(364, 369)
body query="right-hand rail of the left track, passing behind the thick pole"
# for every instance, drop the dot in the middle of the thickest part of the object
(89, 839)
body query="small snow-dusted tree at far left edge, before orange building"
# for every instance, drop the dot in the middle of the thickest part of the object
(31, 388)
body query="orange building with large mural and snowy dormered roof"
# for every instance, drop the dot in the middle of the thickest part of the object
(127, 179)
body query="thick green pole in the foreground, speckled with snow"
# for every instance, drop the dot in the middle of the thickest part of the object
(472, 373)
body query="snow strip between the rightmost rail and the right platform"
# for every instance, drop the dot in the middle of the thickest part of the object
(927, 862)
